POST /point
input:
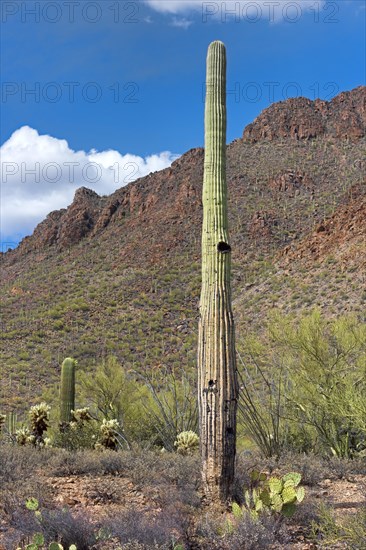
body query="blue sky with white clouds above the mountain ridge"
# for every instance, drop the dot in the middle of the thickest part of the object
(120, 83)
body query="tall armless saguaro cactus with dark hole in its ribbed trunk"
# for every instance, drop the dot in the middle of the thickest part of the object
(217, 379)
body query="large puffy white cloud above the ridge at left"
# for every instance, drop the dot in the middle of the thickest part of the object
(40, 173)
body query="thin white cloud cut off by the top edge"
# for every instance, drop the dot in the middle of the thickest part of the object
(250, 10)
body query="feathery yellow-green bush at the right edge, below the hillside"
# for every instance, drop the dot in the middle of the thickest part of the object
(330, 361)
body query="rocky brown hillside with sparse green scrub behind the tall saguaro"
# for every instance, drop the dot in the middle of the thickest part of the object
(121, 274)
